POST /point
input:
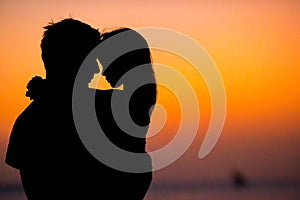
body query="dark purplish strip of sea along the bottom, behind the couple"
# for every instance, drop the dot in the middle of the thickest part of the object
(193, 190)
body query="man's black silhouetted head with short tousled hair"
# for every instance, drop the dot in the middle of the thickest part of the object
(66, 44)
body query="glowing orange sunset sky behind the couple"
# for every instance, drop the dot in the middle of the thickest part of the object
(254, 44)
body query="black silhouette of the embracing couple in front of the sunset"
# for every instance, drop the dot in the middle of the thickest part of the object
(44, 144)
